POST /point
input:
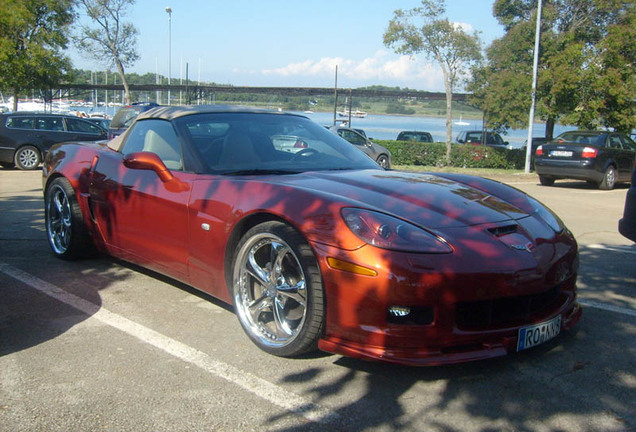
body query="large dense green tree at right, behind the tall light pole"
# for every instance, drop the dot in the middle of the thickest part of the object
(586, 66)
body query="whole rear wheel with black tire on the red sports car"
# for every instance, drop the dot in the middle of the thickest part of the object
(65, 229)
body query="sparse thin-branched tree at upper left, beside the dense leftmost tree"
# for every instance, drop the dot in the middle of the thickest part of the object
(113, 42)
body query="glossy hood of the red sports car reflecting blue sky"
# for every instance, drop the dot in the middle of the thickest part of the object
(428, 200)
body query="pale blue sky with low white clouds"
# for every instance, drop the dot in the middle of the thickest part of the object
(286, 43)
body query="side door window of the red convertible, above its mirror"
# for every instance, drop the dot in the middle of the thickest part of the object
(155, 136)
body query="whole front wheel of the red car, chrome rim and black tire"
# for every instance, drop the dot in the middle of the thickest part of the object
(277, 290)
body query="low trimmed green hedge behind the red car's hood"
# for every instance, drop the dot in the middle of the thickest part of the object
(462, 156)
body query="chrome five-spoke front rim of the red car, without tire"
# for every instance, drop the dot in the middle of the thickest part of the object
(271, 292)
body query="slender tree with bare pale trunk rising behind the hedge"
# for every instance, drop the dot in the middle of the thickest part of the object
(424, 30)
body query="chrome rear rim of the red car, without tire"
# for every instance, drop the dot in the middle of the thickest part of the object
(59, 219)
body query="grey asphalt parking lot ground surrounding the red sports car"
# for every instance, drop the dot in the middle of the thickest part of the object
(100, 344)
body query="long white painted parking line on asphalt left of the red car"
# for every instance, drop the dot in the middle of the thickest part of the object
(258, 386)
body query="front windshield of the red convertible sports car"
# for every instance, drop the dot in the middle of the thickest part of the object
(253, 143)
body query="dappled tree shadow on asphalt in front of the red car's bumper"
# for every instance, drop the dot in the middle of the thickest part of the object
(583, 380)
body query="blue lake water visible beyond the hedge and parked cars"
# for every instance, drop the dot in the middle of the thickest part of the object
(388, 126)
